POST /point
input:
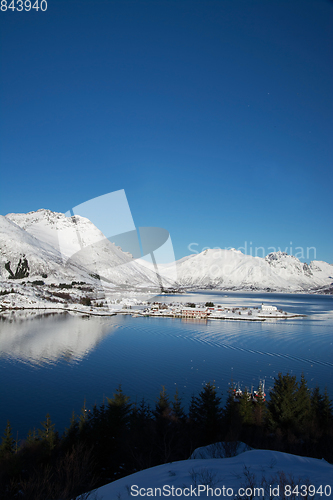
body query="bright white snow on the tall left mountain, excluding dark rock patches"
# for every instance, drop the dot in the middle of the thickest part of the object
(77, 243)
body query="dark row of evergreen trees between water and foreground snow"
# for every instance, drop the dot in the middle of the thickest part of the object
(121, 437)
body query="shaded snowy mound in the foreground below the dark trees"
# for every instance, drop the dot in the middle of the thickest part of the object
(258, 470)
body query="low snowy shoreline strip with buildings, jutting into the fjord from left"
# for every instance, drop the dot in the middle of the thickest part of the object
(95, 302)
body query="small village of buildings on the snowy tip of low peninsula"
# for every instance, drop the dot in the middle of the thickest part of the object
(211, 311)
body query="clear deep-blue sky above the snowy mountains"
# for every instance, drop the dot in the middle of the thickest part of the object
(214, 116)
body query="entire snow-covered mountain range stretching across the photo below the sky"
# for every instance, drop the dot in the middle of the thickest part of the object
(49, 246)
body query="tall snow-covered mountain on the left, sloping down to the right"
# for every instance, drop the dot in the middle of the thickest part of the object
(68, 249)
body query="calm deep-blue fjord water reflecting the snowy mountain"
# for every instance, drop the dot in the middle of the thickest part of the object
(52, 364)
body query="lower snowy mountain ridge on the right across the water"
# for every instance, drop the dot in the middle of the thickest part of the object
(231, 269)
